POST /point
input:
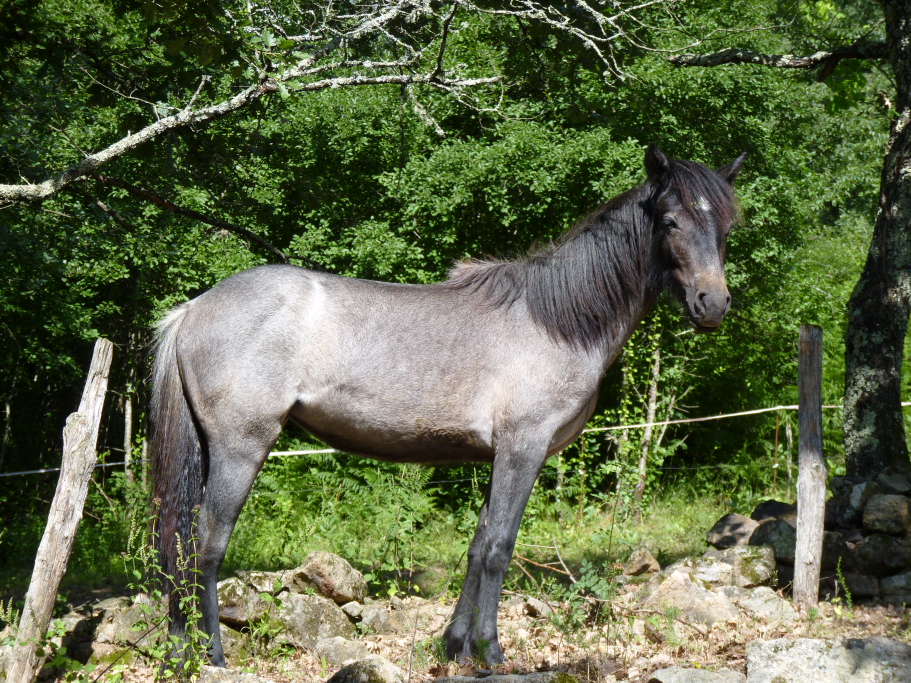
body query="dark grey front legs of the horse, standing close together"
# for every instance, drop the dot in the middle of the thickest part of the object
(472, 631)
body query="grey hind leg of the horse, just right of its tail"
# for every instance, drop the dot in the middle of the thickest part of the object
(234, 462)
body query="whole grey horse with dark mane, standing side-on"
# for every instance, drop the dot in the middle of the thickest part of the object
(501, 363)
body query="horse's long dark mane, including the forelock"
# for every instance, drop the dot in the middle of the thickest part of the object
(593, 277)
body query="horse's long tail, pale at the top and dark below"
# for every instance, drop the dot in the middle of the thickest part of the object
(176, 456)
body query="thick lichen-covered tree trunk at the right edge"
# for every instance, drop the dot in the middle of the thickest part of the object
(879, 306)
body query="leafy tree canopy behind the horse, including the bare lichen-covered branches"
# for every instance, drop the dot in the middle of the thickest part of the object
(393, 140)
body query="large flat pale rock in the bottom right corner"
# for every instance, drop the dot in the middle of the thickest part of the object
(849, 660)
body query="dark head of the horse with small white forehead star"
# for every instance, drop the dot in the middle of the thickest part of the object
(694, 210)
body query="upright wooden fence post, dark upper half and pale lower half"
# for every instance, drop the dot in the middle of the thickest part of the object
(811, 478)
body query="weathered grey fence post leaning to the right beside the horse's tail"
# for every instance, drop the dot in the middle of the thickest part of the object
(79, 459)
